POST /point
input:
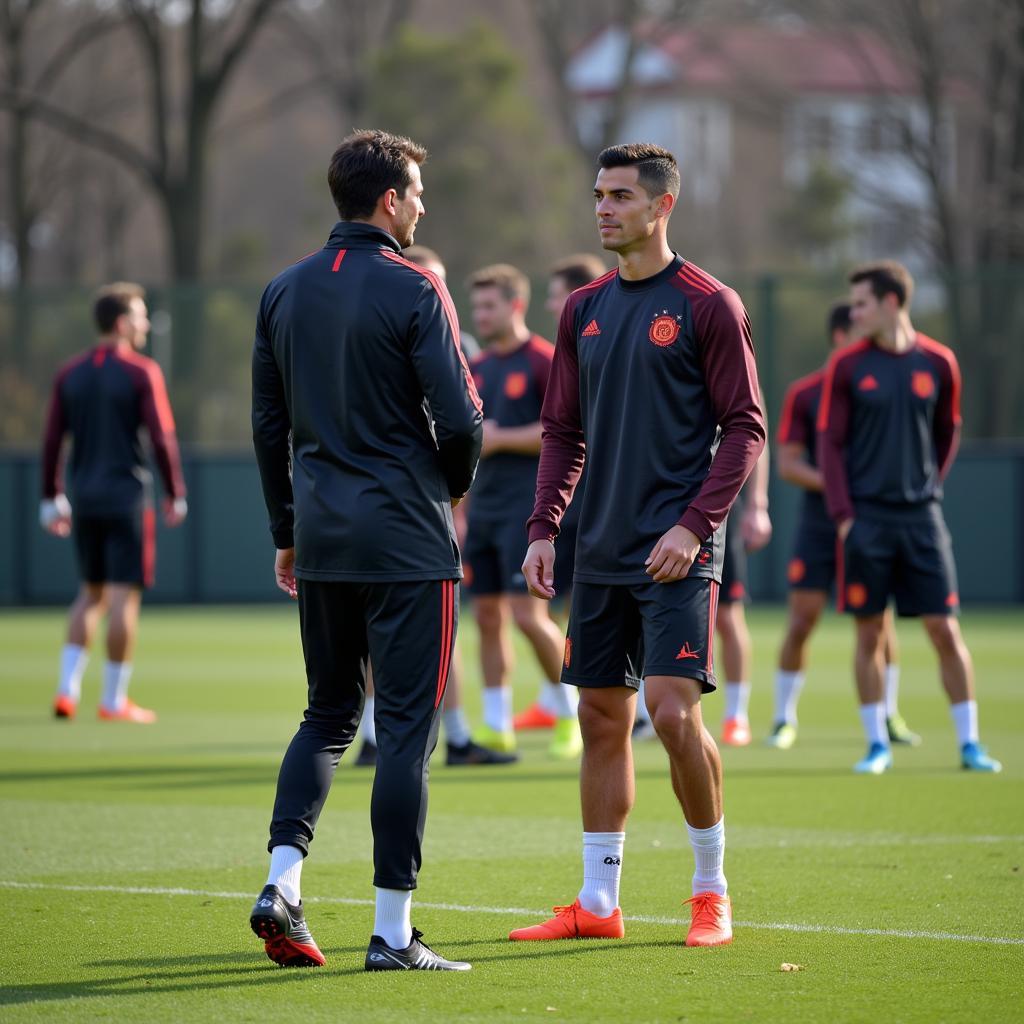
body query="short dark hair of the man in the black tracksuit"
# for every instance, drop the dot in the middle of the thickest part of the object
(366, 165)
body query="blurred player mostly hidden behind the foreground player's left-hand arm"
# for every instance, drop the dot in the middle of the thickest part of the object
(564, 279)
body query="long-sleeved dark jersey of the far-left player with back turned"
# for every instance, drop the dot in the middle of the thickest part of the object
(103, 399)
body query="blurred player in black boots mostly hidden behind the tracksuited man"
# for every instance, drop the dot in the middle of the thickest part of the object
(460, 747)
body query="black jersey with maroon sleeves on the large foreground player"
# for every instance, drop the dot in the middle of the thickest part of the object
(655, 383)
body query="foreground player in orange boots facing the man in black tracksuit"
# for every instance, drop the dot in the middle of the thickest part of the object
(654, 367)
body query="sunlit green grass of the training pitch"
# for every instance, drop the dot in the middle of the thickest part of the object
(185, 805)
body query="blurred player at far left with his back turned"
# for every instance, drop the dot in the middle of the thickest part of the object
(101, 400)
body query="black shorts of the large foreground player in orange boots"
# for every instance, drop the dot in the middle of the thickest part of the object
(668, 627)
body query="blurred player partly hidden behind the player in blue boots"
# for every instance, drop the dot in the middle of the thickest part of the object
(812, 572)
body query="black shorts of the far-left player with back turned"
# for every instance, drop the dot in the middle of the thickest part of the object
(117, 549)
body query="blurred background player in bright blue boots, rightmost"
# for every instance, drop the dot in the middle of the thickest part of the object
(888, 429)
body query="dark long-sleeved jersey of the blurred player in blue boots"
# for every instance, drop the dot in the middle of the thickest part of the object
(888, 426)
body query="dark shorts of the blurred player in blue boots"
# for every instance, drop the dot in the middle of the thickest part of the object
(909, 559)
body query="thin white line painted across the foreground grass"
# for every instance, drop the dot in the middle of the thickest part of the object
(520, 912)
